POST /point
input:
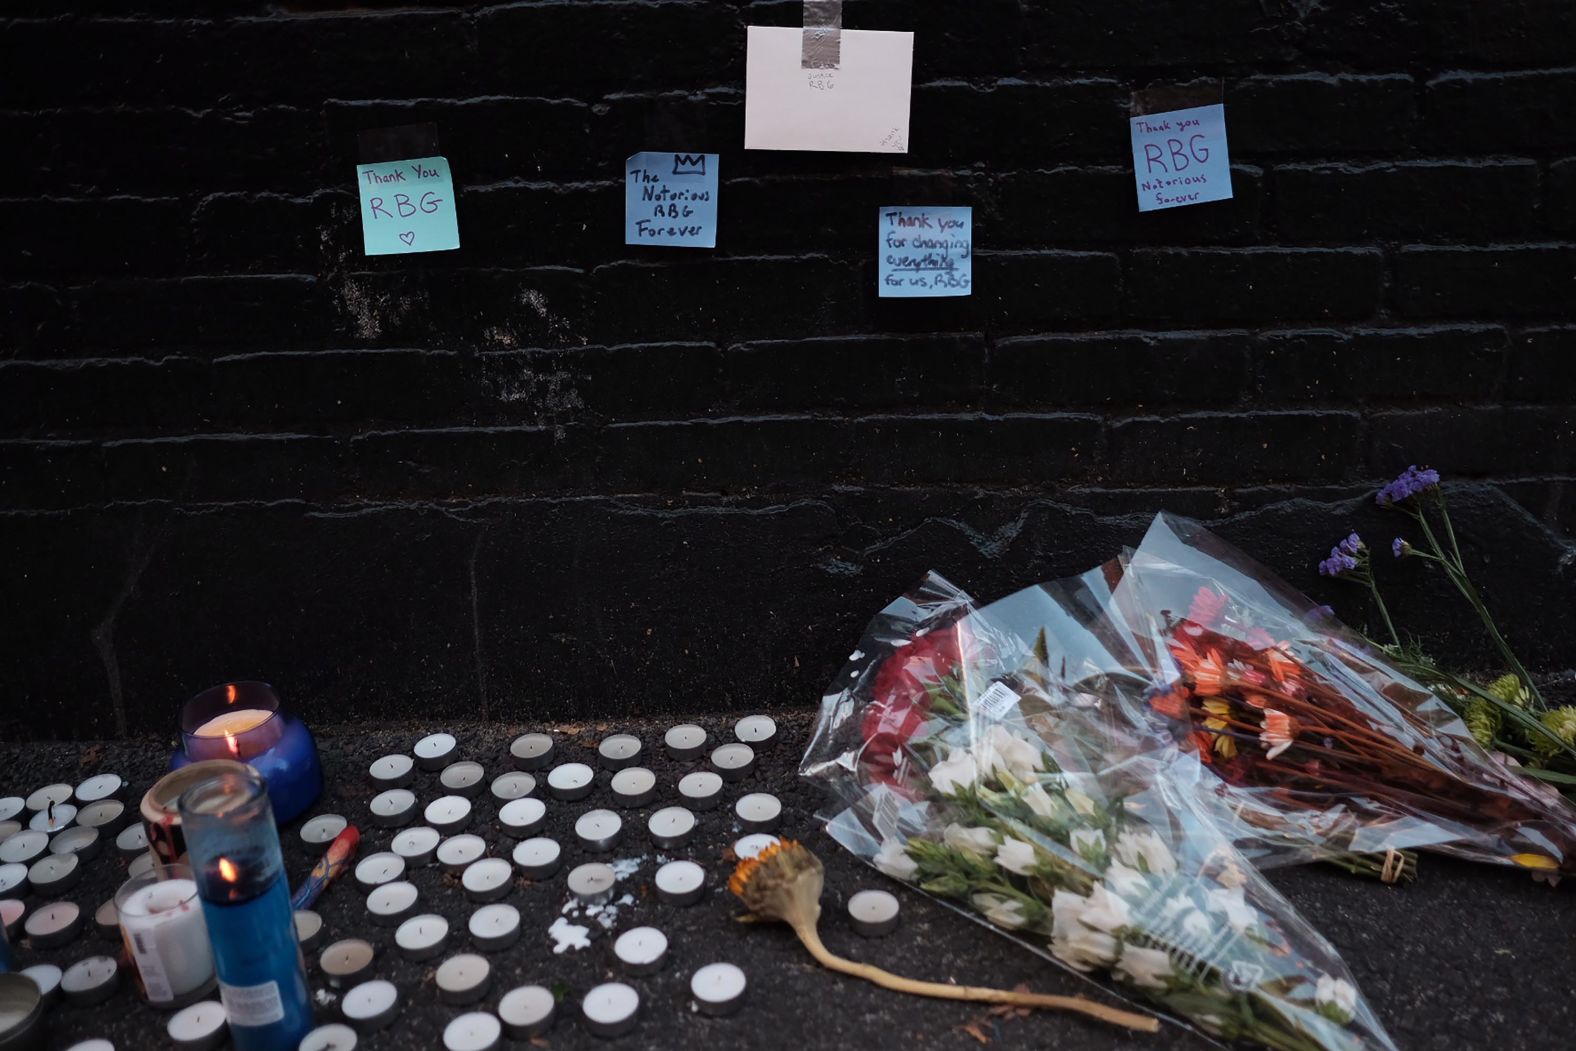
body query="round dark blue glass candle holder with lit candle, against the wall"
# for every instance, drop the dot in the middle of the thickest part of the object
(247, 722)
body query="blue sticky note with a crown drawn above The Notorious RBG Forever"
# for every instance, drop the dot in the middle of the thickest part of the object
(671, 199)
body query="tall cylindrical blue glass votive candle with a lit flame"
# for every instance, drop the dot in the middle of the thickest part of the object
(240, 877)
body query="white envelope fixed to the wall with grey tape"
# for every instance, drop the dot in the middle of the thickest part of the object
(860, 108)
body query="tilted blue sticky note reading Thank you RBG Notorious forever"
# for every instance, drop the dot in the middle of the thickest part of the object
(1181, 158)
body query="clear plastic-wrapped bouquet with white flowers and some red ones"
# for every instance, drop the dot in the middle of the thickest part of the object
(1112, 869)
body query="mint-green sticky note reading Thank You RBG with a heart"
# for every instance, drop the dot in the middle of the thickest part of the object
(407, 207)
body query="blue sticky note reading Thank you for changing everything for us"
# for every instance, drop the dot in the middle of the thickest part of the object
(926, 251)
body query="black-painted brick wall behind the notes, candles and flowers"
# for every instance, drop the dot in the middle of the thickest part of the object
(552, 475)
